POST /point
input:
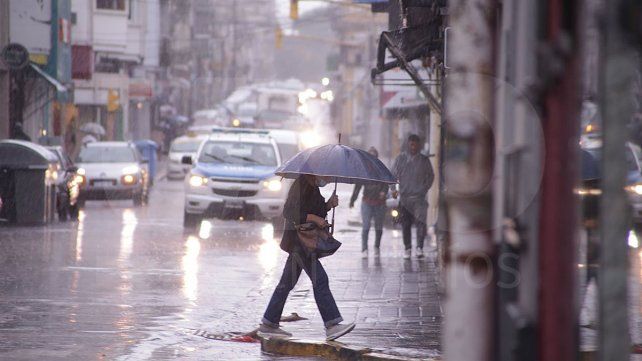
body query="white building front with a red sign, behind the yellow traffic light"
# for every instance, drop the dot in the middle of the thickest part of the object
(110, 45)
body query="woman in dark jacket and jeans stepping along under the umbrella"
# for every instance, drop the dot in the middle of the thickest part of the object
(304, 204)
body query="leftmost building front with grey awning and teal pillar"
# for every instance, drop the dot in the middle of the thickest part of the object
(37, 97)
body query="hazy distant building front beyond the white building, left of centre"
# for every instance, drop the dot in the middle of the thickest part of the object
(213, 47)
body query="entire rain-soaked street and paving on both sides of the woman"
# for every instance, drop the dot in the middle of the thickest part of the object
(128, 283)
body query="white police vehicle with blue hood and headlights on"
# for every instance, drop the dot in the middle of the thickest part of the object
(232, 176)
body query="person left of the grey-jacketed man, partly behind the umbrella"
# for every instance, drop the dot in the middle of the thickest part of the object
(373, 206)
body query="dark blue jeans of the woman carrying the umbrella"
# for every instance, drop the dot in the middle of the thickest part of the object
(297, 260)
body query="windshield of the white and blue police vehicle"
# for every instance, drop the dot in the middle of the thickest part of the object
(241, 153)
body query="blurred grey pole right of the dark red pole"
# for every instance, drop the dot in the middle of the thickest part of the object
(617, 73)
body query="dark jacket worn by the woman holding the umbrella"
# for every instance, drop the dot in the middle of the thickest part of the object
(303, 199)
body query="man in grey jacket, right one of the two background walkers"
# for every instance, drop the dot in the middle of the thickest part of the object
(415, 176)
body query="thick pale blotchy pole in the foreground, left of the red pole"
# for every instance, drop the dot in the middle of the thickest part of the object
(469, 101)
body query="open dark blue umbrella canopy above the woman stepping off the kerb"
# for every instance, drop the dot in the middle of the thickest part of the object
(341, 163)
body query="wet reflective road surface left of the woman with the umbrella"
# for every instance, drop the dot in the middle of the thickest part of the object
(127, 283)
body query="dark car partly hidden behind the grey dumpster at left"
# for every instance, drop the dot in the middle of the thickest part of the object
(67, 186)
